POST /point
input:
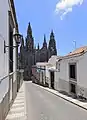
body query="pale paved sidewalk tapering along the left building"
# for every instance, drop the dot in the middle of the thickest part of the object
(17, 111)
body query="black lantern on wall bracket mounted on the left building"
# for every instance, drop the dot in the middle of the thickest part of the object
(18, 38)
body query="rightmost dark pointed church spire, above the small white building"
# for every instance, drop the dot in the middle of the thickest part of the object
(52, 45)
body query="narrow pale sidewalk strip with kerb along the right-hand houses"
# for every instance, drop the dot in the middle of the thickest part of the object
(80, 104)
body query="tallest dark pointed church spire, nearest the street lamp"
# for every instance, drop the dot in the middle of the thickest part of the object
(29, 39)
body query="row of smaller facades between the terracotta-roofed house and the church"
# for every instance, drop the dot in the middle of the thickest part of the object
(44, 72)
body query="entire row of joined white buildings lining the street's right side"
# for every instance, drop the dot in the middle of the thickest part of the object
(67, 74)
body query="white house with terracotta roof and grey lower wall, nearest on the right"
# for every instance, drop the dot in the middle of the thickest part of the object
(71, 75)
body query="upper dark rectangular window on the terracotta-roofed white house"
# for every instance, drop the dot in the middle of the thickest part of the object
(72, 71)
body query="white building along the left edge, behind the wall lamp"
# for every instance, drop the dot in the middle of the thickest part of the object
(8, 56)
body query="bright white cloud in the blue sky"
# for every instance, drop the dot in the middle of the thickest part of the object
(65, 6)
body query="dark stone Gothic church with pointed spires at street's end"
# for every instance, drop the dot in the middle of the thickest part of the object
(30, 55)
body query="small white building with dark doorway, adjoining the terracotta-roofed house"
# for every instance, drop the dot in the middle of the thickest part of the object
(47, 71)
